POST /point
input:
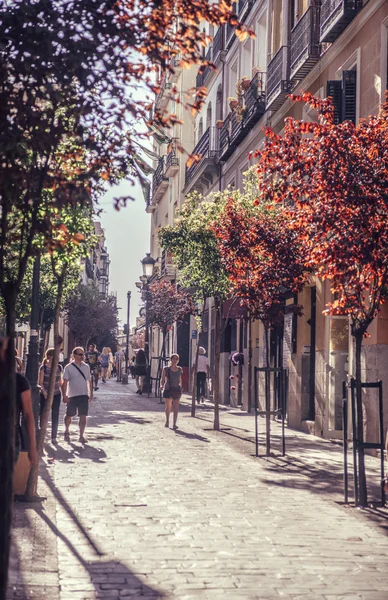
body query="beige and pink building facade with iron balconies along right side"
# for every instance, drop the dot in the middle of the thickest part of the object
(326, 47)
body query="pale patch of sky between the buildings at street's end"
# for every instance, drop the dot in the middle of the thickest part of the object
(127, 240)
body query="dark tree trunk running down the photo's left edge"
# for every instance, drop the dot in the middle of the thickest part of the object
(7, 438)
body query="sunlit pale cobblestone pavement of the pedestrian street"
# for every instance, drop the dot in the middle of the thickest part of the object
(143, 511)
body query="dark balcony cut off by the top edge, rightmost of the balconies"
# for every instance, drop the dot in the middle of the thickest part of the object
(336, 16)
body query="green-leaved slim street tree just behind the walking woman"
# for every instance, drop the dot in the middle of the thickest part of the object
(194, 248)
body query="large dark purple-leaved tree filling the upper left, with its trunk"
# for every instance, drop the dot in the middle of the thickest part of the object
(86, 87)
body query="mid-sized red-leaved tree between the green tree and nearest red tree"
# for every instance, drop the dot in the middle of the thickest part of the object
(263, 258)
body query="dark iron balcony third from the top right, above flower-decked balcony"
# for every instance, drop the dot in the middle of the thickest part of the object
(278, 80)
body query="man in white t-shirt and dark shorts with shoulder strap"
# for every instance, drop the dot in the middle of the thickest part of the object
(77, 392)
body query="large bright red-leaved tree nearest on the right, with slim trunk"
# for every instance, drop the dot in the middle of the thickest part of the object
(331, 180)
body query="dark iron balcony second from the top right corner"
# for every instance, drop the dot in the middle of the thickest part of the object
(305, 46)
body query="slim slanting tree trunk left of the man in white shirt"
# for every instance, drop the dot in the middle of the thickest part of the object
(32, 483)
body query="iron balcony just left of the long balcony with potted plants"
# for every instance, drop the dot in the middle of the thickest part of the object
(200, 175)
